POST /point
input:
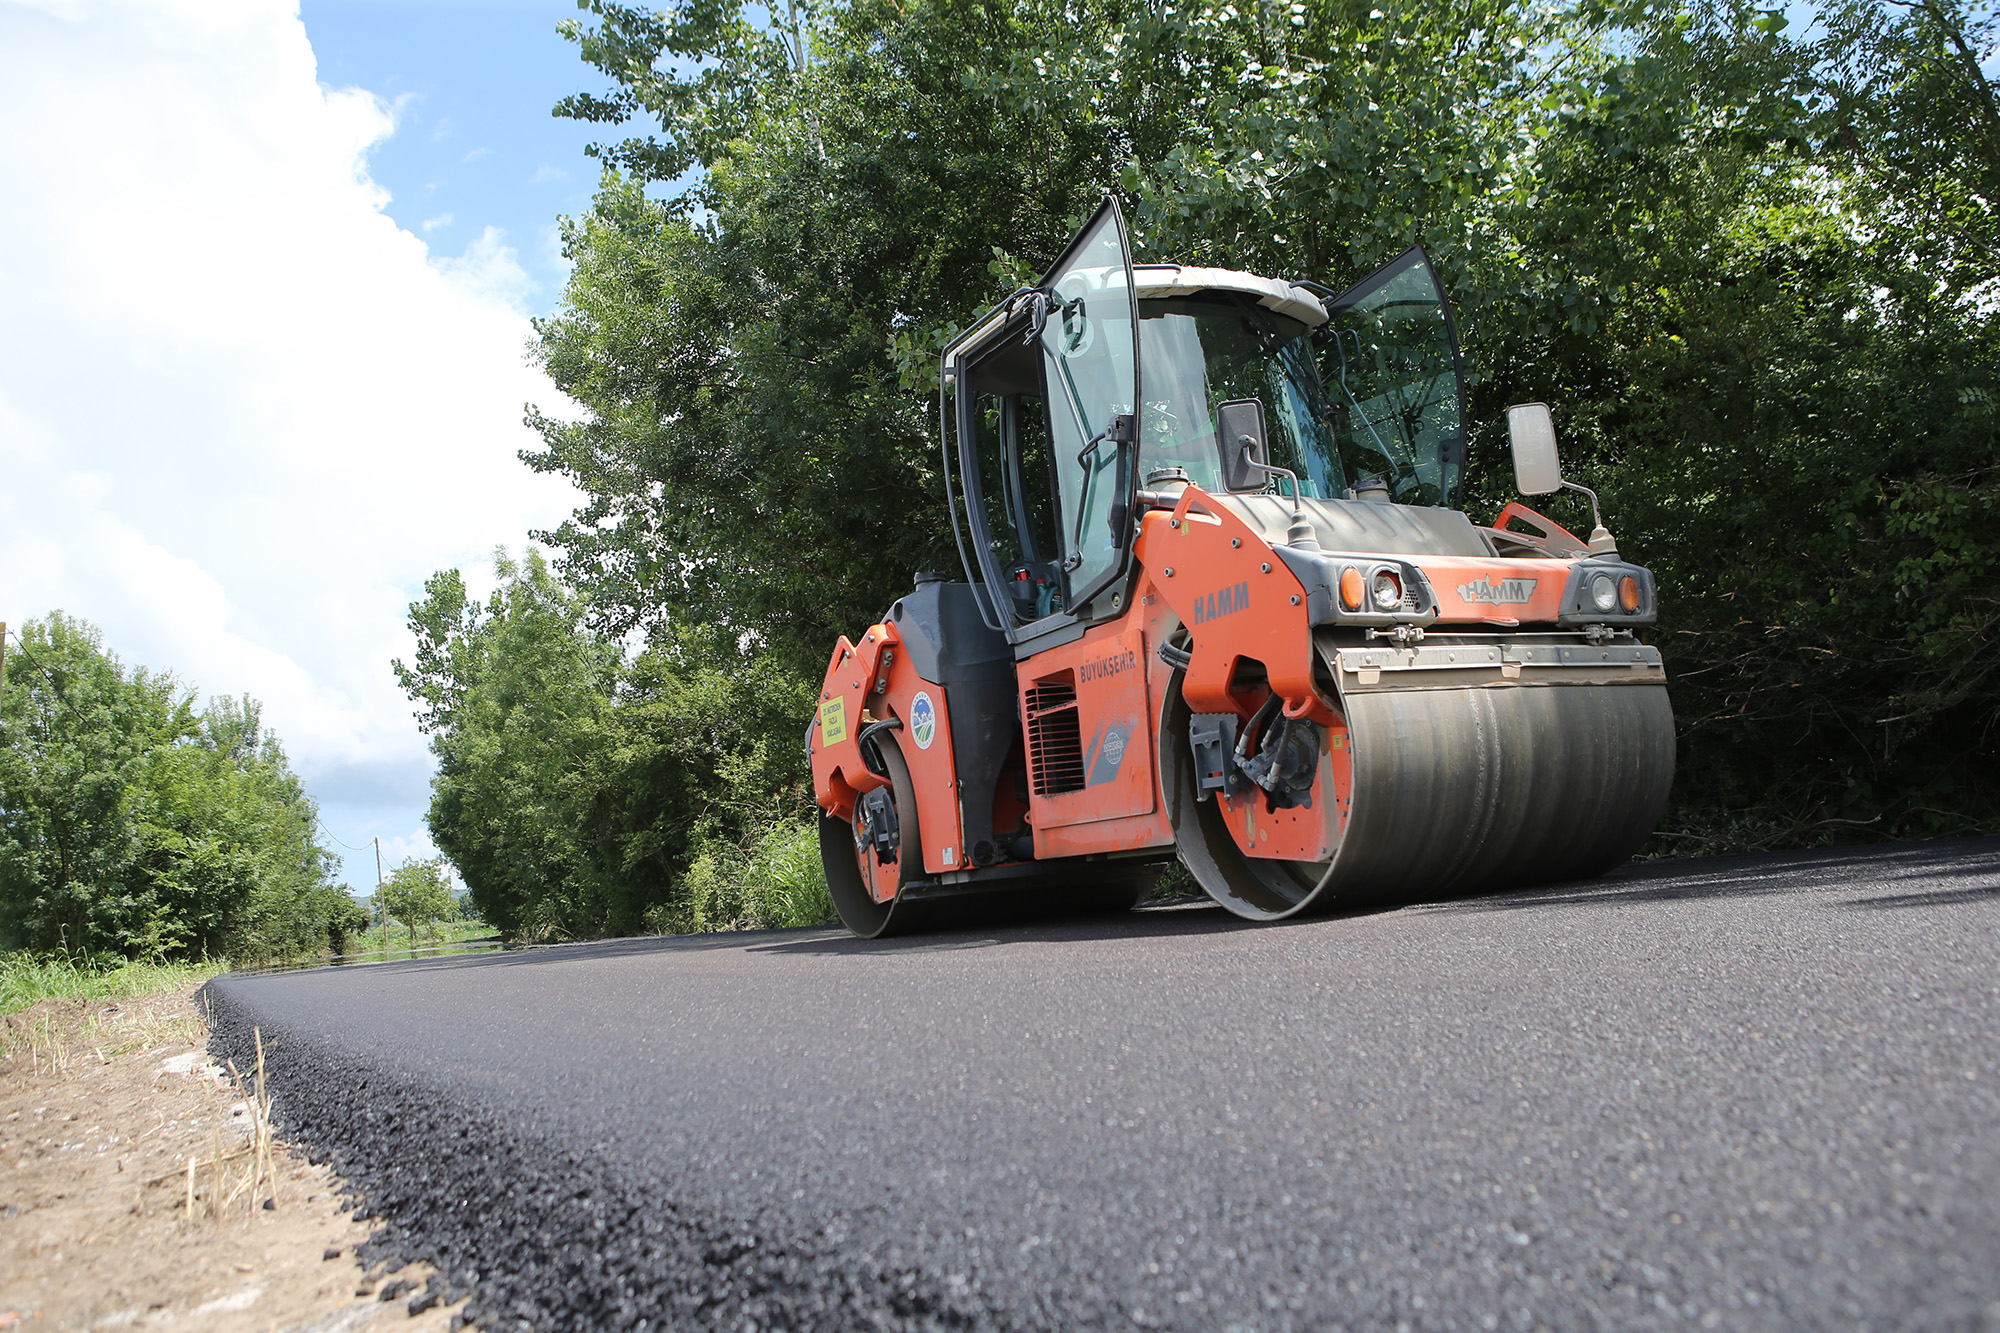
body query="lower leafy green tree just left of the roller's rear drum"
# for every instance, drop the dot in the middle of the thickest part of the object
(575, 782)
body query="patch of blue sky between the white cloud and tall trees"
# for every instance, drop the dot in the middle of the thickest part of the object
(471, 85)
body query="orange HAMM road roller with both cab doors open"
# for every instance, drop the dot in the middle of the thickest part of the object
(1221, 605)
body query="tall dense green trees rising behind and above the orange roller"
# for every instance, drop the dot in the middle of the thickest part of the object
(1755, 273)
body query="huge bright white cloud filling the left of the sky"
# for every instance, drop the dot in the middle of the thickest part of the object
(243, 415)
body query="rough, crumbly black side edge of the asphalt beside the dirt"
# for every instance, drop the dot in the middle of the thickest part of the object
(541, 1238)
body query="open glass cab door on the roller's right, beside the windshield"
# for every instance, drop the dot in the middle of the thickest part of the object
(1397, 383)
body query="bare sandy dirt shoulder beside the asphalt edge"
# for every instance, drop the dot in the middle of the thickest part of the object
(103, 1106)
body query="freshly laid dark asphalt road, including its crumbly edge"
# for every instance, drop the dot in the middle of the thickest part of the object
(1745, 1094)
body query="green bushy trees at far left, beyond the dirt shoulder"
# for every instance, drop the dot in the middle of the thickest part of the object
(133, 824)
